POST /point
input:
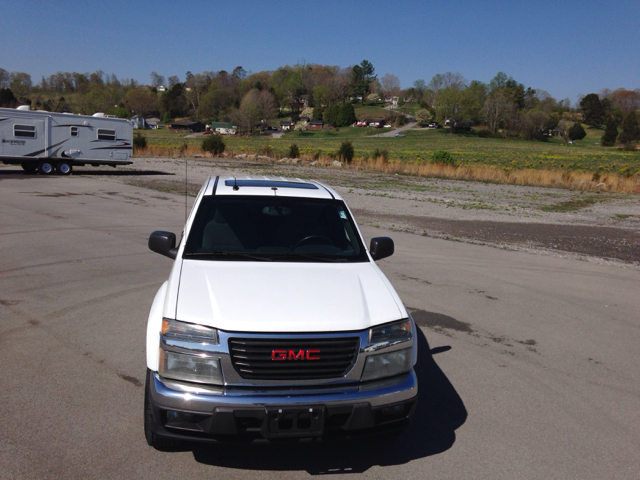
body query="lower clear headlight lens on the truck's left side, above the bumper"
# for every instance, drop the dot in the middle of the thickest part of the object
(190, 368)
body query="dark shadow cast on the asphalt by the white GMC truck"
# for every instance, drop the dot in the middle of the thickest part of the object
(439, 413)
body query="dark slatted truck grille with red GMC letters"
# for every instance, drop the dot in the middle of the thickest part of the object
(253, 357)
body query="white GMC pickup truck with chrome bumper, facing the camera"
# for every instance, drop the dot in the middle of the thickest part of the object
(275, 321)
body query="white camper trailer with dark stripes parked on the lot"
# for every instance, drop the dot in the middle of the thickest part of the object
(49, 142)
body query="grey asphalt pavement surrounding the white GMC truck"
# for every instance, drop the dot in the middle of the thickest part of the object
(528, 364)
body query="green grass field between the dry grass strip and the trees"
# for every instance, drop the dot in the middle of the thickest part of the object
(419, 145)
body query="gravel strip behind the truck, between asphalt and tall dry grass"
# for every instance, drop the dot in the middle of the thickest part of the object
(597, 227)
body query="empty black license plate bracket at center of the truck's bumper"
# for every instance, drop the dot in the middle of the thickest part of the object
(294, 422)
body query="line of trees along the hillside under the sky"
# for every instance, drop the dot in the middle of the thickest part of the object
(505, 106)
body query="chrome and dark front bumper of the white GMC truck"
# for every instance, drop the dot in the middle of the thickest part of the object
(185, 411)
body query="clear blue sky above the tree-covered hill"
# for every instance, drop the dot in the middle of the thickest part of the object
(567, 48)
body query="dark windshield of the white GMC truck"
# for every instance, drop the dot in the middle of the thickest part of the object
(254, 228)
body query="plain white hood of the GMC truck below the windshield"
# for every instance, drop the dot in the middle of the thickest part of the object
(285, 297)
